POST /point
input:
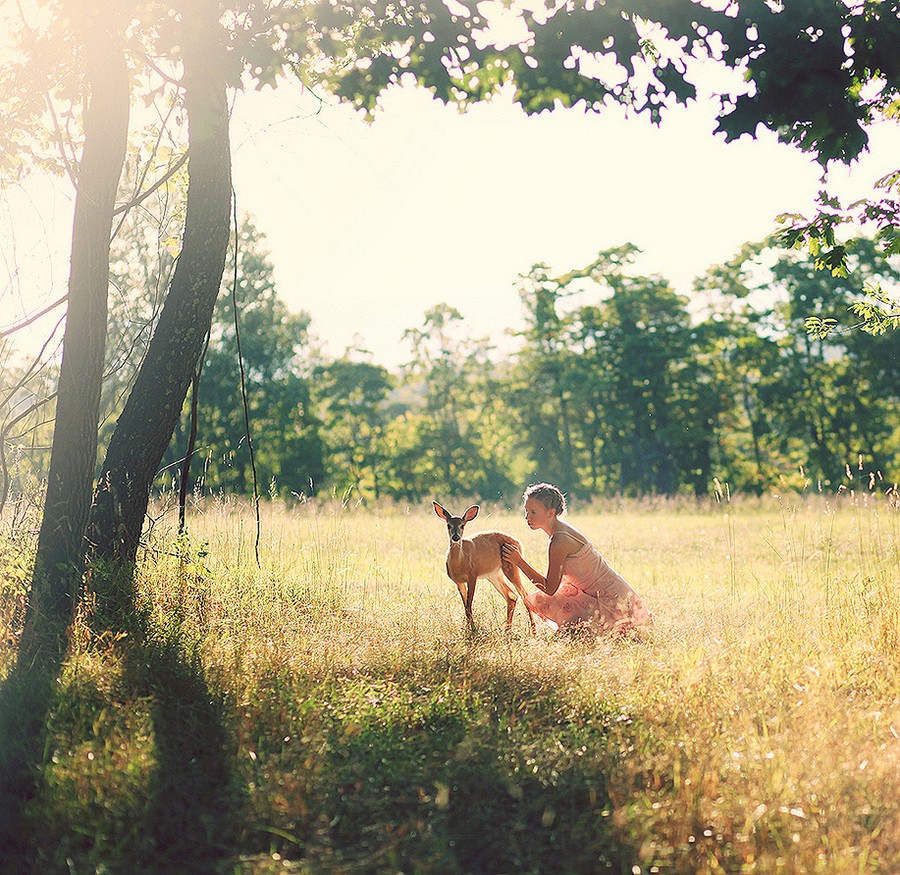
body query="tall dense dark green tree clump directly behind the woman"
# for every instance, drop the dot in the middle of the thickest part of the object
(614, 393)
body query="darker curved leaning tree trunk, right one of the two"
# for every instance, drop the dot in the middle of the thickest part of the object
(151, 413)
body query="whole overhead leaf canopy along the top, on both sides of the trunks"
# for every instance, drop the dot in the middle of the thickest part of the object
(815, 73)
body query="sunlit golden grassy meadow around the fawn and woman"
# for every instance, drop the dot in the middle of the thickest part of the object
(327, 711)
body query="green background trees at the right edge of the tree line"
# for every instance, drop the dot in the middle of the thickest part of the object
(818, 400)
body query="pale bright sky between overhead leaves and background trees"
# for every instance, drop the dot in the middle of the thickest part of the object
(371, 225)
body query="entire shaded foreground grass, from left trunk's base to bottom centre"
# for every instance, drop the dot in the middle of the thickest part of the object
(452, 765)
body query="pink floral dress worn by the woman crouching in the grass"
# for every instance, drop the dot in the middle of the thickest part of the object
(590, 592)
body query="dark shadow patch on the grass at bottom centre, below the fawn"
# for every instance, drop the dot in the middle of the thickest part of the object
(447, 789)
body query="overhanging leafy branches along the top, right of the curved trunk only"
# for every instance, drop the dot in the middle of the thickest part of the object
(806, 65)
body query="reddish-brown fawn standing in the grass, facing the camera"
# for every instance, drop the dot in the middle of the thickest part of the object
(479, 556)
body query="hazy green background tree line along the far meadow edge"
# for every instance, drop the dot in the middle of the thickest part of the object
(618, 386)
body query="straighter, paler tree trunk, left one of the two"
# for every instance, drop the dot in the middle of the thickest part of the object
(59, 561)
